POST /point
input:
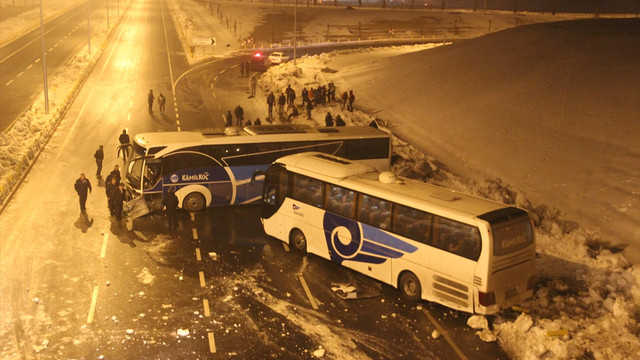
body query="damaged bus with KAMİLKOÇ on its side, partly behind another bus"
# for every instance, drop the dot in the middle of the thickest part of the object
(214, 169)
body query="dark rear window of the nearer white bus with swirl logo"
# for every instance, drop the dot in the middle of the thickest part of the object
(511, 237)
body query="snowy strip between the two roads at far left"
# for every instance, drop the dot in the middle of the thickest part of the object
(21, 143)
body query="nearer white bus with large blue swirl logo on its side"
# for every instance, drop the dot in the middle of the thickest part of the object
(431, 243)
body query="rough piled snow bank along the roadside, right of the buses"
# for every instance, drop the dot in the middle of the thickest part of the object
(587, 299)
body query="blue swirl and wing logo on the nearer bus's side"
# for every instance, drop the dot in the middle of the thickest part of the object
(349, 240)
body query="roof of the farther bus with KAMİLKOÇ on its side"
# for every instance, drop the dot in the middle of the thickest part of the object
(250, 134)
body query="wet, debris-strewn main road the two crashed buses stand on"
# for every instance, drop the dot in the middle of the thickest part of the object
(83, 286)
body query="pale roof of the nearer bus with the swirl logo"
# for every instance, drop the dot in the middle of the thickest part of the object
(401, 190)
